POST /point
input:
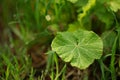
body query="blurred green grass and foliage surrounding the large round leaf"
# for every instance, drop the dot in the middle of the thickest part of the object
(27, 28)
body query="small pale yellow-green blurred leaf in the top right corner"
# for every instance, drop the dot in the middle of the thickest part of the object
(115, 5)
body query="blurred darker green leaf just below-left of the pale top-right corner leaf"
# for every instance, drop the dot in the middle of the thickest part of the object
(103, 15)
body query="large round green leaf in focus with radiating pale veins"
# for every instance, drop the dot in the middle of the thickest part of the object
(80, 48)
